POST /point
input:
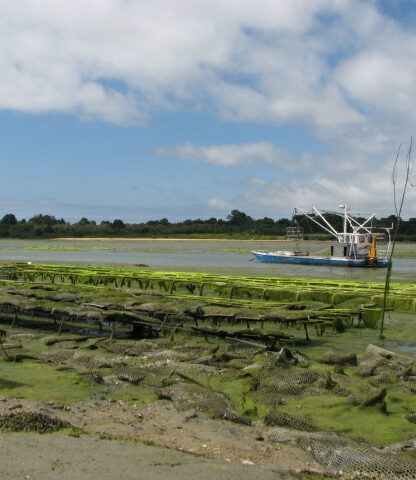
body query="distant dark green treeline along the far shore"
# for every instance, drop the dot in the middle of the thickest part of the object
(237, 225)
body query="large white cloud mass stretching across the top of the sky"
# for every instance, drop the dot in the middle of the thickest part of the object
(277, 62)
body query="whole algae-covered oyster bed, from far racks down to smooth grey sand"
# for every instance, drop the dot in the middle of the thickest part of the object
(286, 374)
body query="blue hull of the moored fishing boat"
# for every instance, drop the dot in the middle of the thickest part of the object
(315, 260)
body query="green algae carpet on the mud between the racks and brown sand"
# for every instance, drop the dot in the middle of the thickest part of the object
(331, 410)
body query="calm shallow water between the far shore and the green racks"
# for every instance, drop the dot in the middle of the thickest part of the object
(219, 256)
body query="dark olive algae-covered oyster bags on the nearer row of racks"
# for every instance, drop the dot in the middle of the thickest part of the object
(100, 303)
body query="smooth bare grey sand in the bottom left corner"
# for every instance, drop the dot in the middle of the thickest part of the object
(56, 456)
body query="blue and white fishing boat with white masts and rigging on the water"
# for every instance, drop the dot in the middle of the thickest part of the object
(358, 243)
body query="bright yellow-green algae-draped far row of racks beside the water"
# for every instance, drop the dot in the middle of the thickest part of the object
(402, 296)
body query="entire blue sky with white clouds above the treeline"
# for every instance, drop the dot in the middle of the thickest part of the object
(150, 109)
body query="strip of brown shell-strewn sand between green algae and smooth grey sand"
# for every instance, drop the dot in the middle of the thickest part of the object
(159, 423)
